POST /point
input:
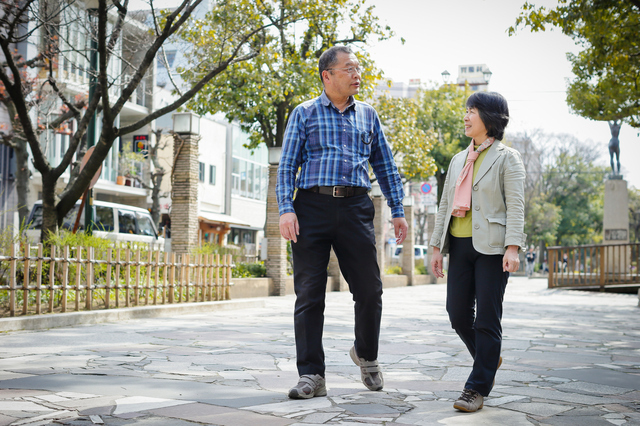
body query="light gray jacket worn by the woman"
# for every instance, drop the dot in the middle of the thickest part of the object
(497, 202)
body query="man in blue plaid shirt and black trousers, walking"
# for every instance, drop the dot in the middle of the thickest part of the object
(333, 139)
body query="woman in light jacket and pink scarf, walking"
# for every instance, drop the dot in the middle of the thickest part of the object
(480, 224)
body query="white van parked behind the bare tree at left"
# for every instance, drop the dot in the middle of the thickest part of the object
(116, 222)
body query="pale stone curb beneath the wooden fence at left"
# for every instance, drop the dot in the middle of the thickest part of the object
(45, 321)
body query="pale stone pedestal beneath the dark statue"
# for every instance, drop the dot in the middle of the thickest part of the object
(616, 224)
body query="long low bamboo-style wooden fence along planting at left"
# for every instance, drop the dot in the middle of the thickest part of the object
(35, 281)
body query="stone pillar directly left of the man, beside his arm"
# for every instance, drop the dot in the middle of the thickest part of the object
(276, 262)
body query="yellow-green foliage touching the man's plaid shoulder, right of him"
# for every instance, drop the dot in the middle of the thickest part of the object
(411, 145)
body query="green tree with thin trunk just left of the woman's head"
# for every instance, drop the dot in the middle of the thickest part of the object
(442, 112)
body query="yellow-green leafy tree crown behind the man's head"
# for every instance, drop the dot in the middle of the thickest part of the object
(260, 93)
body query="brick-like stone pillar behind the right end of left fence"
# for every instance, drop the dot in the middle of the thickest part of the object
(184, 194)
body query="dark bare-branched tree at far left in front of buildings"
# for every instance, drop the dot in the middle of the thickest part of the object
(231, 32)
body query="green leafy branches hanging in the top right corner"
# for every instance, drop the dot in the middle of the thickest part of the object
(606, 83)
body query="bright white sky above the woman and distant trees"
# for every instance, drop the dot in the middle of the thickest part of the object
(530, 69)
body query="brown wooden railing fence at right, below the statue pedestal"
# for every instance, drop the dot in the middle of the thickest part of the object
(594, 266)
